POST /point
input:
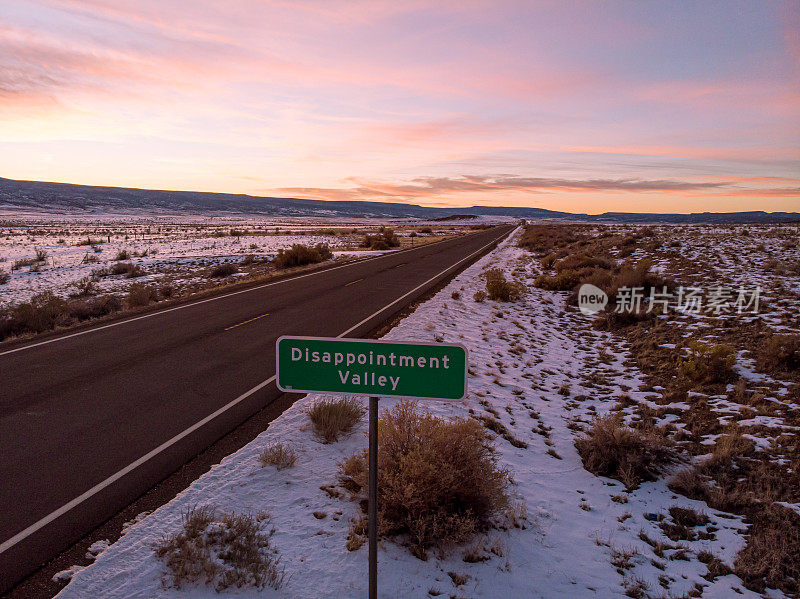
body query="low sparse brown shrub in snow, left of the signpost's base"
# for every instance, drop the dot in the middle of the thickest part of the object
(221, 550)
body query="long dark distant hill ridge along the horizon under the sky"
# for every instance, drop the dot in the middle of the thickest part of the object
(69, 199)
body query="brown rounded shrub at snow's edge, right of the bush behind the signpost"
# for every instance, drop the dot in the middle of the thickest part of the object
(629, 455)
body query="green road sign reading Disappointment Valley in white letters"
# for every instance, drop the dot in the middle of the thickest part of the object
(367, 367)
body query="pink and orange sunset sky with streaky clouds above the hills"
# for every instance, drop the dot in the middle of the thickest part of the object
(579, 106)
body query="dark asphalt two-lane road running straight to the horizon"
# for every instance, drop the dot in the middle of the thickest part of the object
(91, 420)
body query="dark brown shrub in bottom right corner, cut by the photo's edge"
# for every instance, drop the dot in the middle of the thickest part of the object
(771, 557)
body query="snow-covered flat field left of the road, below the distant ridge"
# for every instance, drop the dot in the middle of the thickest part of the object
(177, 251)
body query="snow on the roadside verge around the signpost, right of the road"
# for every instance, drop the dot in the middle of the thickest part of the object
(529, 361)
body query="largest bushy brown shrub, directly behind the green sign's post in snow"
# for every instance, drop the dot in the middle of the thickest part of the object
(438, 481)
